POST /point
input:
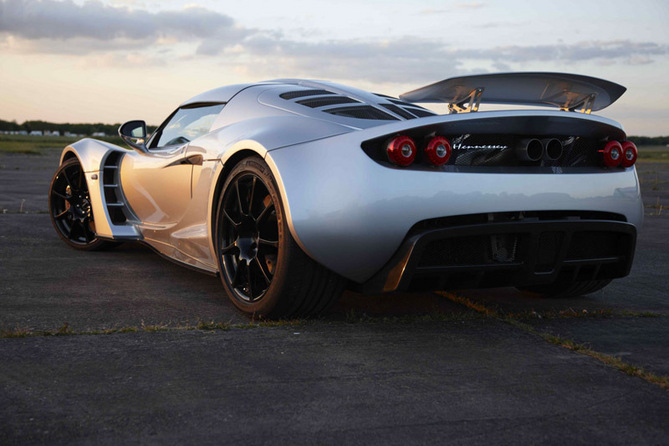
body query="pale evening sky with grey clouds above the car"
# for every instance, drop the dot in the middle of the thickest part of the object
(117, 60)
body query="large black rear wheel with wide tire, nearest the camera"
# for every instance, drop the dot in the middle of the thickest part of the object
(263, 270)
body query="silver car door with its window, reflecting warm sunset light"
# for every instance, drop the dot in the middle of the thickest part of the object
(157, 183)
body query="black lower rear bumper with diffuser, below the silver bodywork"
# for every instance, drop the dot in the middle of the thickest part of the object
(532, 251)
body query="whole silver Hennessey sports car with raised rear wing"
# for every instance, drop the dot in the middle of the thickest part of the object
(293, 190)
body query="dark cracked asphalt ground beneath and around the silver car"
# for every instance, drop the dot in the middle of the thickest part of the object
(395, 369)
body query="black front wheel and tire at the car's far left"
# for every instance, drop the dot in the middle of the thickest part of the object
(70, 208)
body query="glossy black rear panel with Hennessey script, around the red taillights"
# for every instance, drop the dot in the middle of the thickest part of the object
(496, 144)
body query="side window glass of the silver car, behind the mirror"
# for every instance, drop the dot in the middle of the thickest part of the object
(186, 124)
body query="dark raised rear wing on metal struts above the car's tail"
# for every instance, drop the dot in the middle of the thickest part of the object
(566, 91)
